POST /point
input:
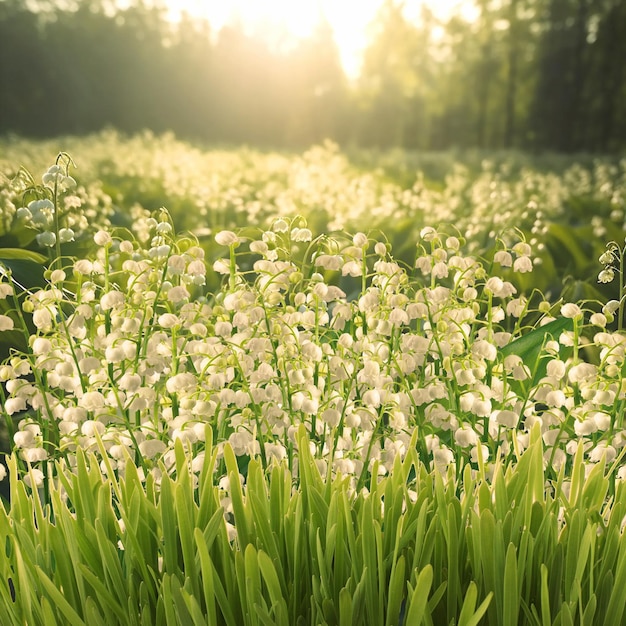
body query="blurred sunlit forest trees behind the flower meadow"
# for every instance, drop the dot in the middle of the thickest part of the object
(527, 74)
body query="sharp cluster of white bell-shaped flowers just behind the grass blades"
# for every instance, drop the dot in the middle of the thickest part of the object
(130, 355)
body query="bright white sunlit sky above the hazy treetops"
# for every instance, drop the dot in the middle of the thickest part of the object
(349, 19)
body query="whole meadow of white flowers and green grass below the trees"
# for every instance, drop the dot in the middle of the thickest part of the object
(335, 387)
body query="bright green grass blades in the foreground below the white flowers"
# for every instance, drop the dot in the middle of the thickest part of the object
(308, 550)
